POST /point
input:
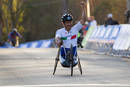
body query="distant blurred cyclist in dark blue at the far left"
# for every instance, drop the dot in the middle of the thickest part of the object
(13, 37)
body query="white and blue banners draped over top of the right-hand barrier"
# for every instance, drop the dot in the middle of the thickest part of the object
(118, 35)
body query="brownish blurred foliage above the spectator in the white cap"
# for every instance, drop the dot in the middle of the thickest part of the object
(103, 7)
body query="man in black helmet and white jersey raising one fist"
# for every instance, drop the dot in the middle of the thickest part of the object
(68, 35)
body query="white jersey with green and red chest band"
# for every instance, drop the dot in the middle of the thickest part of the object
(69, 37)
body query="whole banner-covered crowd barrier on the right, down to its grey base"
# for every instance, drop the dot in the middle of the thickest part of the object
(109, 39)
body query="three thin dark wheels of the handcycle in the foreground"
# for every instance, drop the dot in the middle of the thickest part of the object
(70, 56)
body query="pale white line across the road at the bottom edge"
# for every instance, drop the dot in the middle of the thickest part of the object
(72, 85)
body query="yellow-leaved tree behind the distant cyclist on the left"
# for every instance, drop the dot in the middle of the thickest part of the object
(12, 12)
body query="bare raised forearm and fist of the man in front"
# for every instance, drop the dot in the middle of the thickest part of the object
(83, 12)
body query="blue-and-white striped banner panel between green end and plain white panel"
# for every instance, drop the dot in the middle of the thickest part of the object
(103, 34)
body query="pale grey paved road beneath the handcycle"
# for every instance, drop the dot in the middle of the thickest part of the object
(34, 67)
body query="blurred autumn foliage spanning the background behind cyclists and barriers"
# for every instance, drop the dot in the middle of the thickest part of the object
(39, 19)
